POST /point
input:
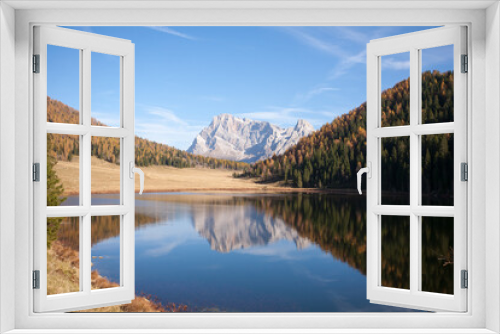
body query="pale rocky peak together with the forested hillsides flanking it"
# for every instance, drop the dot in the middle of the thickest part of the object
(326, 158)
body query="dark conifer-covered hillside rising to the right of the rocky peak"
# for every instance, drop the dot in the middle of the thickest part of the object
(331, 156)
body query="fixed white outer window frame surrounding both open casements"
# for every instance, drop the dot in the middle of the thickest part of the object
(485, 235)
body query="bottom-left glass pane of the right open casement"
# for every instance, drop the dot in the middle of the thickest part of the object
(396, 251)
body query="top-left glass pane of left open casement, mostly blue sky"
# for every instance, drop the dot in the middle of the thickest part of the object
(63, 85)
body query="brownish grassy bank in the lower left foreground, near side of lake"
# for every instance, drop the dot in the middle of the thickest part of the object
(63, 274)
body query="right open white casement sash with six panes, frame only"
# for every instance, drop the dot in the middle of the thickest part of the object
(413, 43)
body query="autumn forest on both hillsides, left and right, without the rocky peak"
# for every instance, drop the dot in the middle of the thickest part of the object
(327, 158)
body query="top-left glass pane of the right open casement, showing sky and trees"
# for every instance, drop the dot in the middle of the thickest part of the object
(395, 77)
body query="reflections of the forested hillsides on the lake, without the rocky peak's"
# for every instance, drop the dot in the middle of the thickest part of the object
(337, 223)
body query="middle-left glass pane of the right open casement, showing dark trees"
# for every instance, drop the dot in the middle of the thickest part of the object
(395, 170)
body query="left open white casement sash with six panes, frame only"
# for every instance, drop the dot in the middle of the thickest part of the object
(86, 44)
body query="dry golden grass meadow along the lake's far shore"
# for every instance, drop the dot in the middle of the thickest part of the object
(106, 179)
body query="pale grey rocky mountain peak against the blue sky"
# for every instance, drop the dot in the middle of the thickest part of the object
(241, 139)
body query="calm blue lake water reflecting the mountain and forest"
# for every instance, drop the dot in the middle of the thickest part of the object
(265, 253)
